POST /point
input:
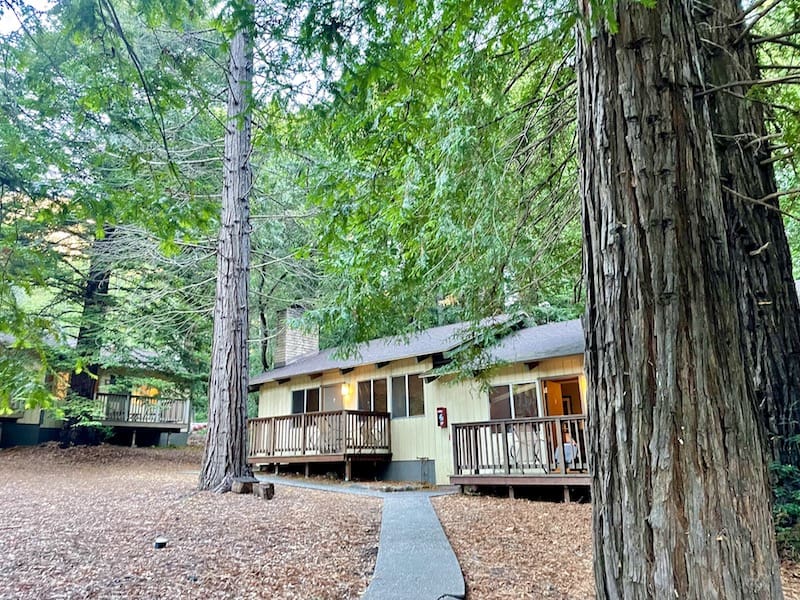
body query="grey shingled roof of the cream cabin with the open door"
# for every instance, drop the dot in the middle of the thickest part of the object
(528, 344)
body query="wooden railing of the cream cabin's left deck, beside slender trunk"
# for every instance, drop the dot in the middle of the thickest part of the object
(340, 432)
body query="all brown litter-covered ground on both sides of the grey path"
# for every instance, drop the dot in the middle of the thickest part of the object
(81, 522)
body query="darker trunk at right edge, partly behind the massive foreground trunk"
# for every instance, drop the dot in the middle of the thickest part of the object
(765, 293)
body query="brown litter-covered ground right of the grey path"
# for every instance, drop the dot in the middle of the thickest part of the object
(523, 549)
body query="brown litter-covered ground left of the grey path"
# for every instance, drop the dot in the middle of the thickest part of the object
(81, 522)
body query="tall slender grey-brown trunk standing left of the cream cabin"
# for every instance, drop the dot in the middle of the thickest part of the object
(226, 445)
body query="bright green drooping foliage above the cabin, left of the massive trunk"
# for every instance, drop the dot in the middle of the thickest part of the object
(431, 205)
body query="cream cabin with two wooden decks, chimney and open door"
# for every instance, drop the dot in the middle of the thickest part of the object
(396, 406)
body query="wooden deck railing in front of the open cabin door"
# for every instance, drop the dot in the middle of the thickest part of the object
(535, 446)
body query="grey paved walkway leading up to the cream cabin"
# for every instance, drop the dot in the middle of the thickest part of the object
(415, 559)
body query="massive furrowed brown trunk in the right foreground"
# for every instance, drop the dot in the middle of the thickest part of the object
(679, 486)
